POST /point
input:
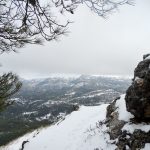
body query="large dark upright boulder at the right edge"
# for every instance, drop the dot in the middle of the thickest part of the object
(138, 94)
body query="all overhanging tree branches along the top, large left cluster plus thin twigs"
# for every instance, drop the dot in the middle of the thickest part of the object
(31, 21)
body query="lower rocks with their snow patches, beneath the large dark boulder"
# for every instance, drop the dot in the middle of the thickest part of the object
(124, 129)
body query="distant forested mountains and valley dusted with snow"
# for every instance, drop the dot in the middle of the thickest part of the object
(43, 102)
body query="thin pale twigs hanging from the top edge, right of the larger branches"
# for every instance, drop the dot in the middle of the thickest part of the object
(100, 7)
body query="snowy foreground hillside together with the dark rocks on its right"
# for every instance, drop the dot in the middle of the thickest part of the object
(124, 124)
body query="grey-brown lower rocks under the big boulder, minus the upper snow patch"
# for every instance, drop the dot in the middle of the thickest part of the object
(123, 138)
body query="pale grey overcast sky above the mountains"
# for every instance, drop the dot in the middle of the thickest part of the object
(94, 45)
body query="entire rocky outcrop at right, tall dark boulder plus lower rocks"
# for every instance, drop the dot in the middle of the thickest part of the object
(133, 133)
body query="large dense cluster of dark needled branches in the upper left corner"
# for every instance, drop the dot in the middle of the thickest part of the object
(22, 21)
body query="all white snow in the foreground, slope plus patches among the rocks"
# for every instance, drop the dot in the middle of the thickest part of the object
(85, 129)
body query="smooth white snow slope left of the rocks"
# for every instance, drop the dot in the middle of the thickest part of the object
(78, 131)
